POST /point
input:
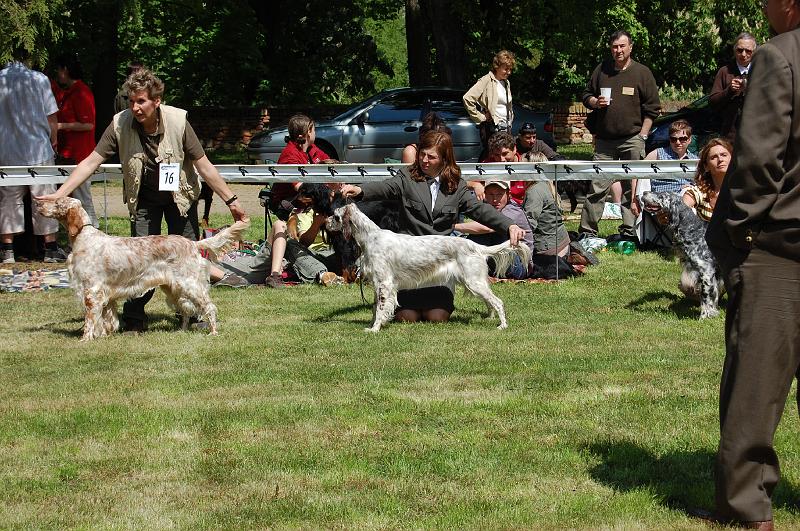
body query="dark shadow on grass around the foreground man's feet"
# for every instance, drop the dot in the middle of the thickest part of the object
(680, 480)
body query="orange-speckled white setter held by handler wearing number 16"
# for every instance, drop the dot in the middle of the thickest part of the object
(104, 269)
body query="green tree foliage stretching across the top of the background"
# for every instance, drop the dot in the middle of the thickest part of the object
(243, 52)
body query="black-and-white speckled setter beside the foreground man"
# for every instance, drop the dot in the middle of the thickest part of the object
(701, 276)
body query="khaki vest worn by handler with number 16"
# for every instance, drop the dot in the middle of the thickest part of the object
(170, 149)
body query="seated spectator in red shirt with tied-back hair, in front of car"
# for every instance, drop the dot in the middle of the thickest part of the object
(300, 149)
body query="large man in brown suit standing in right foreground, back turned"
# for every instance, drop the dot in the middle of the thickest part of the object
(755, 235)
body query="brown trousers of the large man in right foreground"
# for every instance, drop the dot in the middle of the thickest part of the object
(762, 358)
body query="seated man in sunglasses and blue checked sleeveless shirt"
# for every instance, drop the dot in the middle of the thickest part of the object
(648, 231)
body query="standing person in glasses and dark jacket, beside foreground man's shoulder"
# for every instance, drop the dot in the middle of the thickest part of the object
(727, 94)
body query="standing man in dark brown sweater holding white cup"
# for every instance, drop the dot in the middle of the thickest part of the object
(620, 128)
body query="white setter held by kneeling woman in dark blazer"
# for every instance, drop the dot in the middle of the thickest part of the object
(399, 261)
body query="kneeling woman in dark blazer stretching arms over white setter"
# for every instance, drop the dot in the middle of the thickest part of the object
(432, 195)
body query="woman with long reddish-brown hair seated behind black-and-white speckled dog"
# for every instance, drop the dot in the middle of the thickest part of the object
(711, 169)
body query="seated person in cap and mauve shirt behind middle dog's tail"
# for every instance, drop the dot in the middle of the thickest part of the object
(497, 195)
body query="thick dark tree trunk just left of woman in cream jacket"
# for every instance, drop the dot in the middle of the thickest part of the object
(449, 40)
